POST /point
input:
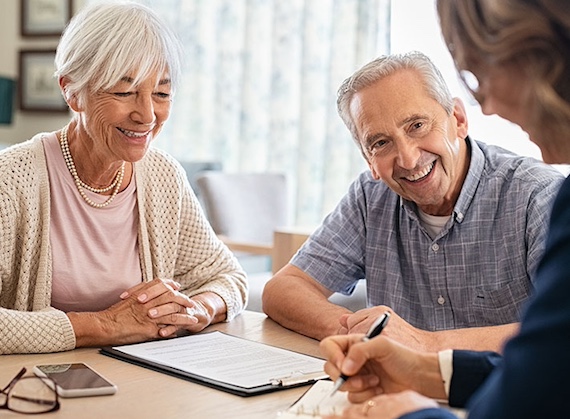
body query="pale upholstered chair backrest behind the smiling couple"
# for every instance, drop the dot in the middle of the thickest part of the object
(245, 207)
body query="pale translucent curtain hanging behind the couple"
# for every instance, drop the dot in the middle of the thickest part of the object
(259, 90)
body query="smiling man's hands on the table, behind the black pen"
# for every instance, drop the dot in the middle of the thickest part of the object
(397, 329)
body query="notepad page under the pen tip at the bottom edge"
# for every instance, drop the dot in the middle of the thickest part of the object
(316, 402)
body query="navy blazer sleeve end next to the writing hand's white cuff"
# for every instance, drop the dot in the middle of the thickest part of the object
(470, 370)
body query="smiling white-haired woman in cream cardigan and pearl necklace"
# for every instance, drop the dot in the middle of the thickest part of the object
(103, 241)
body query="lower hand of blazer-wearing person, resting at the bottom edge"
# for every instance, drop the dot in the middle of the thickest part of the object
(389, 406)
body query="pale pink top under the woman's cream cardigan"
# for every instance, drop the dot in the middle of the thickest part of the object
(95, 255)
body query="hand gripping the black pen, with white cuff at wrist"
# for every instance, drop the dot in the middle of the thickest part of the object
(381, 365)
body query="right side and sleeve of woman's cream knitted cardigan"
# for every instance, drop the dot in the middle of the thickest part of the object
(177, 240)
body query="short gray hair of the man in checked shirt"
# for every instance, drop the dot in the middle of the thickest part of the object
(384, 66)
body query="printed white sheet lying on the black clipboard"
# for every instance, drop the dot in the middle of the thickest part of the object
(227, 359)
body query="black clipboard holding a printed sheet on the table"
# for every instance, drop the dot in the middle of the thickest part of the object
(215, 360)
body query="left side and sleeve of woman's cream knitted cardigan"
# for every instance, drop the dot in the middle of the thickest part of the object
(27, 323)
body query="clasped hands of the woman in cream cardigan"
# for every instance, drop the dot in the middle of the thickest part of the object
(165, 308)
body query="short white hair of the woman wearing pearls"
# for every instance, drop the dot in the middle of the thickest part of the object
(104, 42)
